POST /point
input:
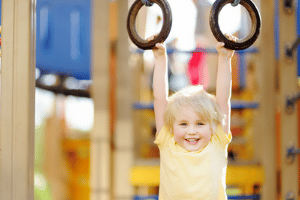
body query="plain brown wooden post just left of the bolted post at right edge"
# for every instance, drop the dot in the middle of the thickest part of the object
(265, 121)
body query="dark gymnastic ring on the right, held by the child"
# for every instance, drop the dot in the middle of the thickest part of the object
(245, 42)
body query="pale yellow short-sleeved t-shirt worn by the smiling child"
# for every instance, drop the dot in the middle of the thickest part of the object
(198, 175)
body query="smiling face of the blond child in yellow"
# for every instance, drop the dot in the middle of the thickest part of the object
(190, 131)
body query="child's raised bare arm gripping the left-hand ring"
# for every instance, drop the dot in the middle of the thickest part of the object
(160, 84)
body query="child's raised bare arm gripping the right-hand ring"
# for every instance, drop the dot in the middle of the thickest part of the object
(224, 82)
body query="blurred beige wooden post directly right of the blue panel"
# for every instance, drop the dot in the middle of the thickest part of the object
(100, 136)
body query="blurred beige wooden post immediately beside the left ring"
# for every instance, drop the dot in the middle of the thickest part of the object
(123, 136)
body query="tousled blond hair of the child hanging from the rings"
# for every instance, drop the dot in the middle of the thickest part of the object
(196, 98)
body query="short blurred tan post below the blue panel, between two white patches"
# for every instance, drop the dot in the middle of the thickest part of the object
(56, 172)
